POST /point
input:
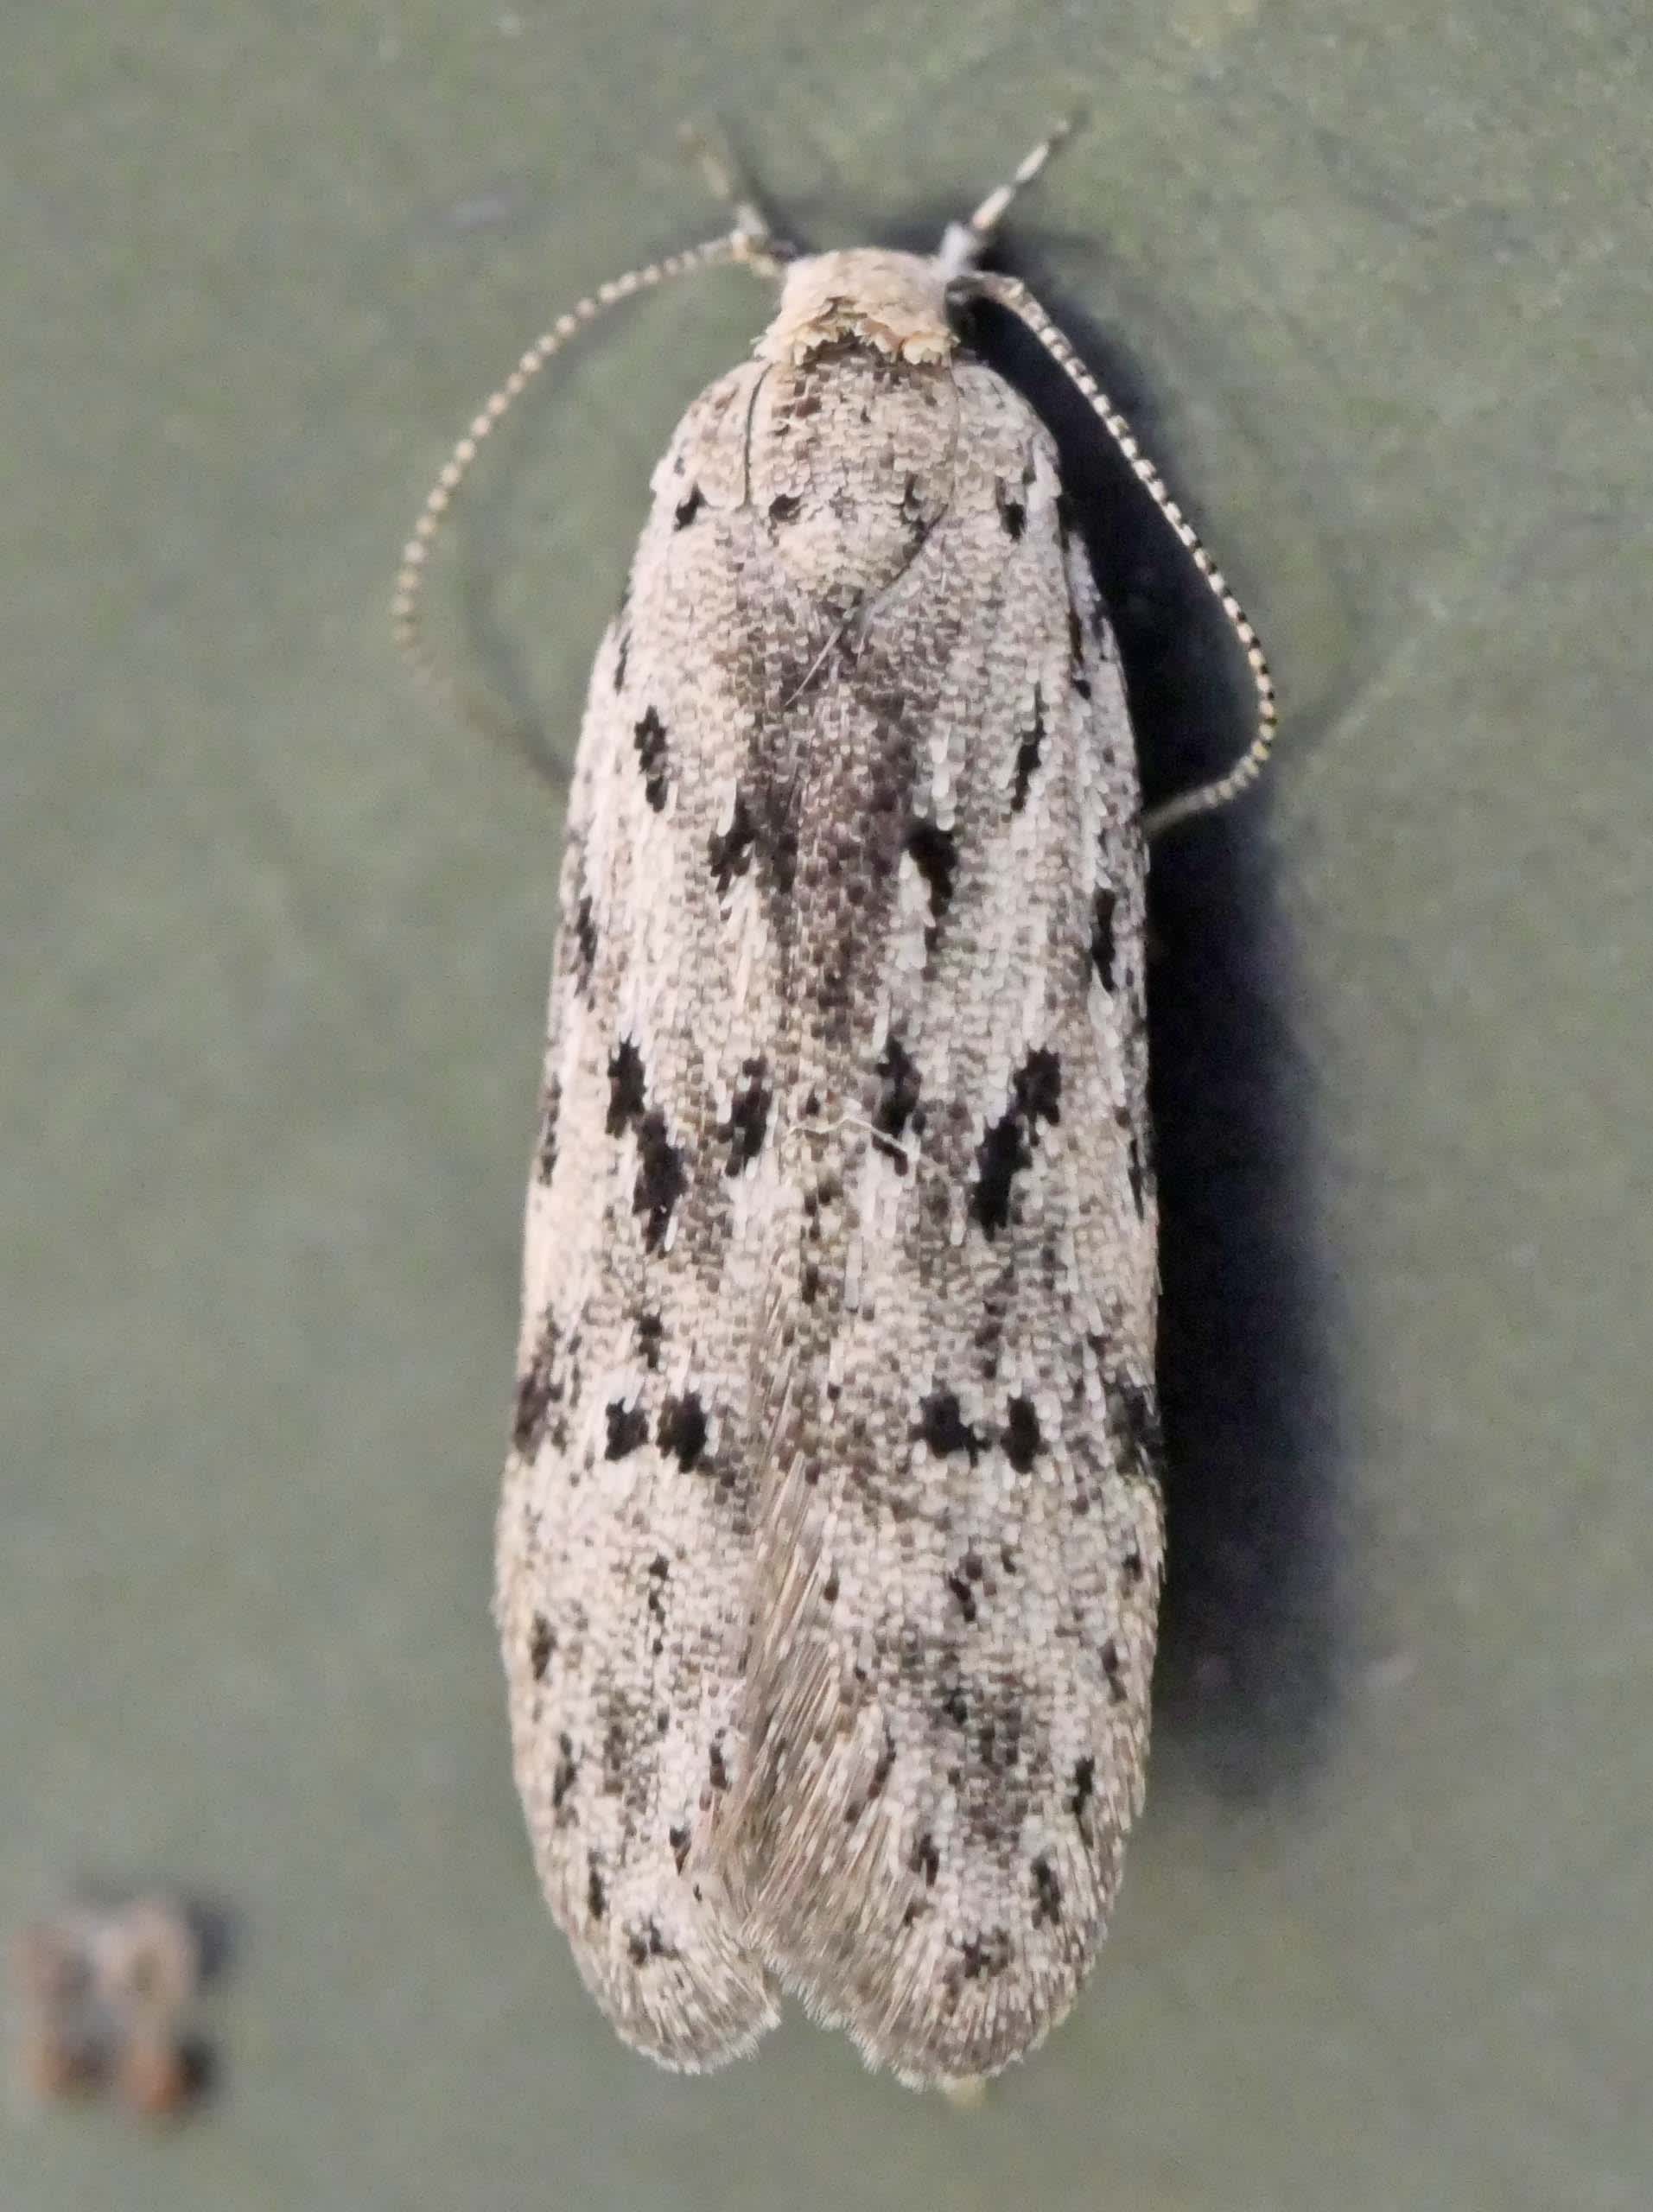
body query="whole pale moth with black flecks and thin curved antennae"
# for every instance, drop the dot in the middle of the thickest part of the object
(831, 1538)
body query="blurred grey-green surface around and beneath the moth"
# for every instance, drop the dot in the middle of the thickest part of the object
(275, 941)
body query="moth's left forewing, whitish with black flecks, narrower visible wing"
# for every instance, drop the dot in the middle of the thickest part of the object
(627, 1512)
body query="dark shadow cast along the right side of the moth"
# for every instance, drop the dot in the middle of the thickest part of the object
(1251, 1634)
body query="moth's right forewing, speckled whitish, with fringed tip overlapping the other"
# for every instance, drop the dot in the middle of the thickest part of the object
(959, 1521)
